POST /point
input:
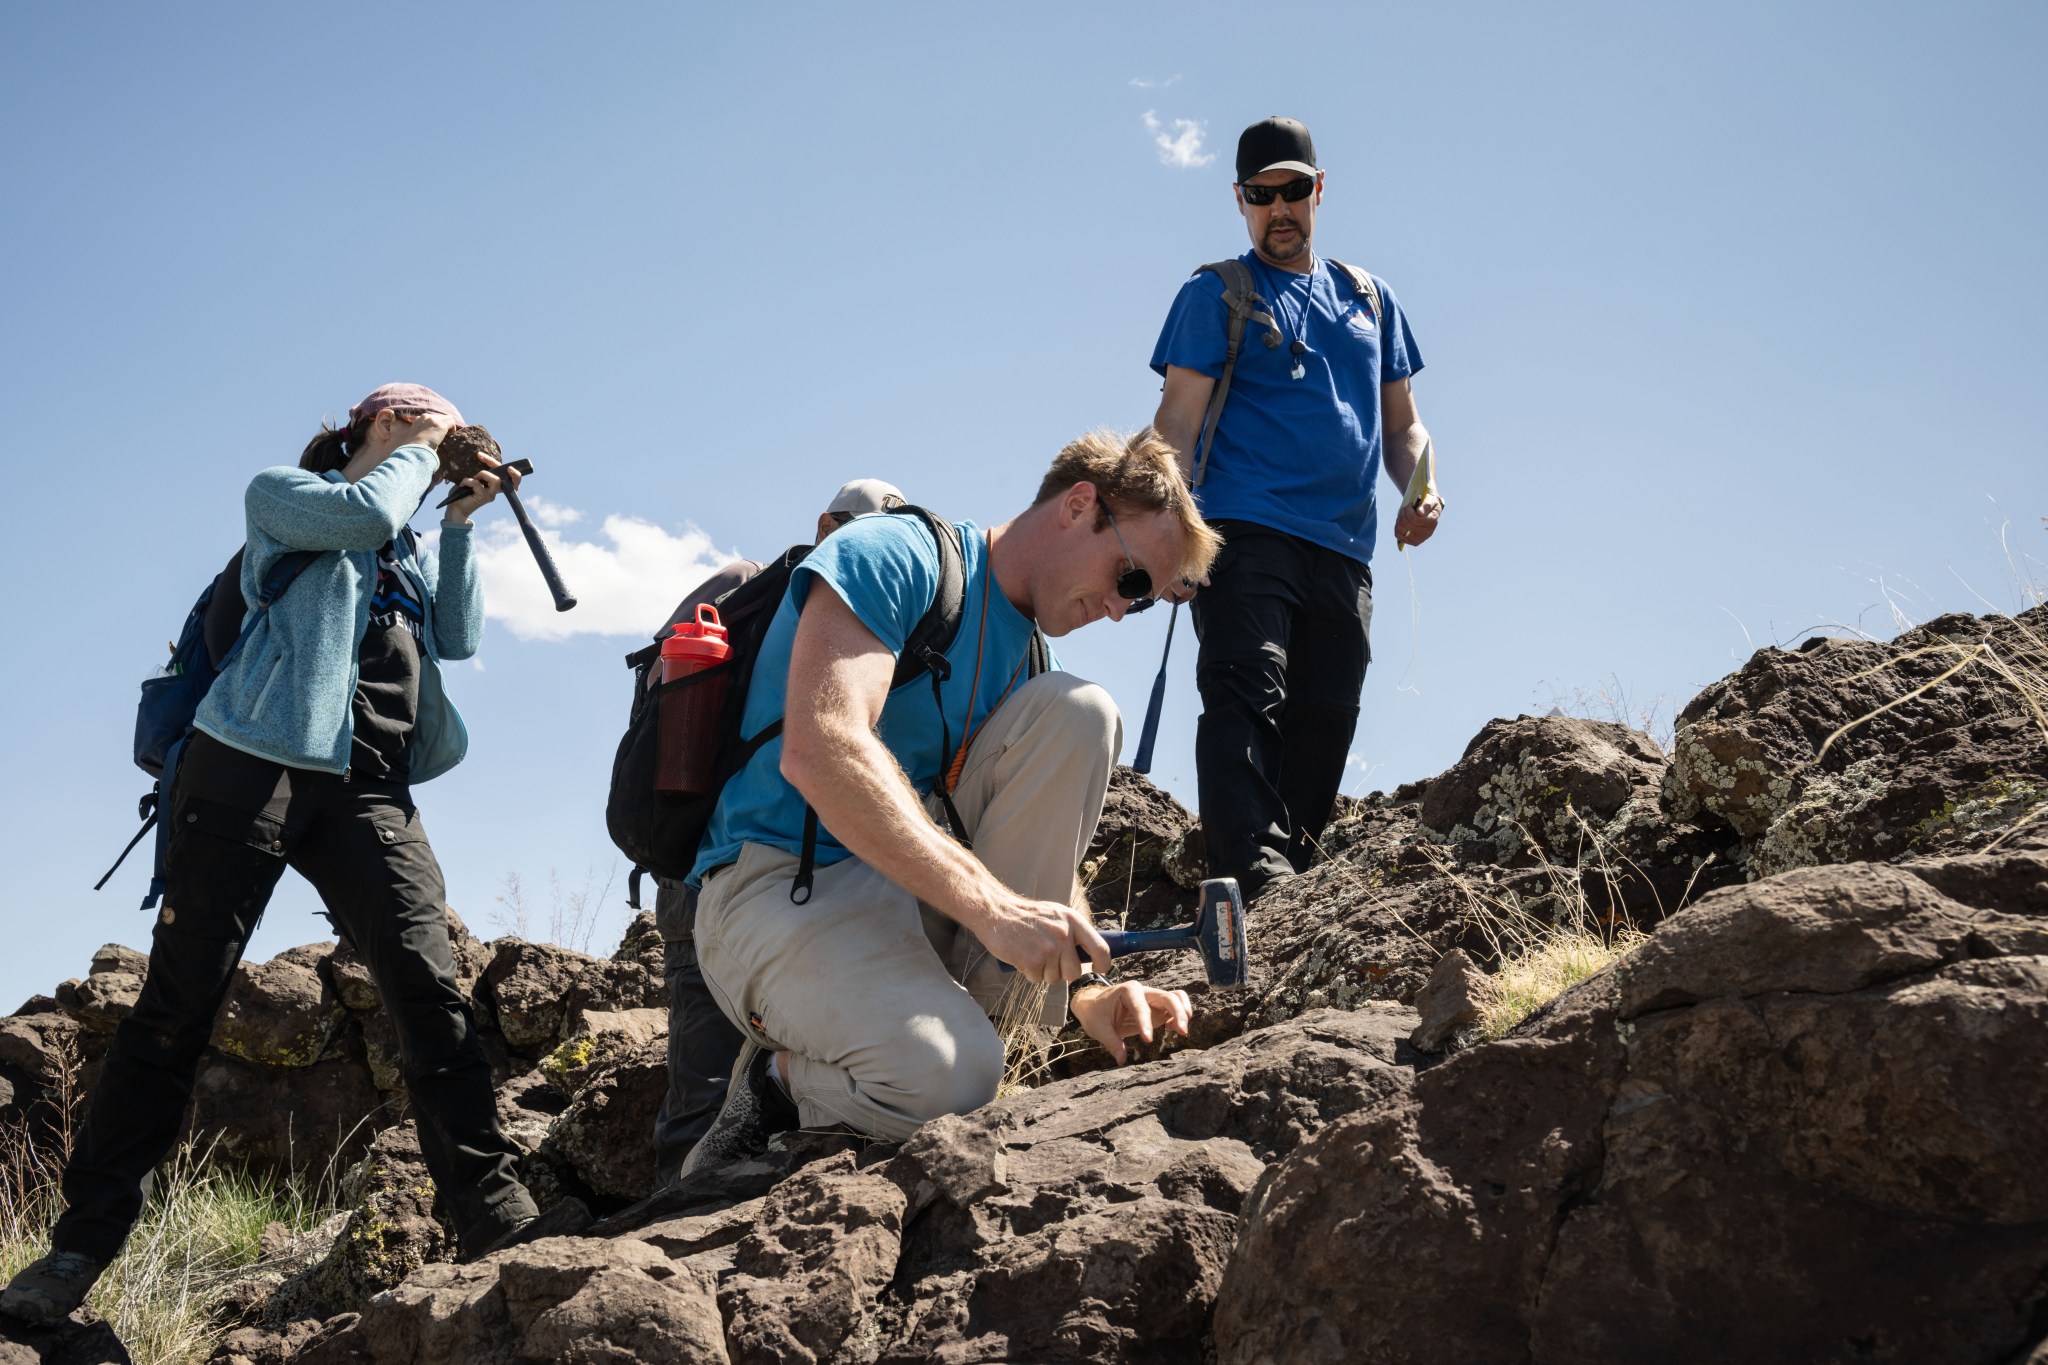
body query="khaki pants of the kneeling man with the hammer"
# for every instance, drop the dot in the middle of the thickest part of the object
(884, 1004)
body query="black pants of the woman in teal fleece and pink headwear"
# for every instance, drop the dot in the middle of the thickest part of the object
(237, 824)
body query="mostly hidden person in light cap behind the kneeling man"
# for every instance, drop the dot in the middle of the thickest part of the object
(701, 1041)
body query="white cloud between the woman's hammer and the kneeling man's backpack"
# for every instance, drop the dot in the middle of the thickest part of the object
(626, 584)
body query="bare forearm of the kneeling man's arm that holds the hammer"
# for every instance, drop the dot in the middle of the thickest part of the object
(863, 797)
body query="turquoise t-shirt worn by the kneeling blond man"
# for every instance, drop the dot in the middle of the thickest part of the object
(886, 568)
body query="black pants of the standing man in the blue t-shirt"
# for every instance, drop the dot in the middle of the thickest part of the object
(1283, 656)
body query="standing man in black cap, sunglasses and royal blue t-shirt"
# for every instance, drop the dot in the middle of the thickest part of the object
(1318, 402)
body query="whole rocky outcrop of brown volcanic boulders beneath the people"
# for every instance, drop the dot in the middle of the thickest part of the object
(1797, 1122)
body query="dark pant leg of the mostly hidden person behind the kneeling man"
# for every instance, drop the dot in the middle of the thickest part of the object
(701, 1043)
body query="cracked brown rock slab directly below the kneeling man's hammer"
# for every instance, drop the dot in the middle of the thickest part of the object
(1086, 1221)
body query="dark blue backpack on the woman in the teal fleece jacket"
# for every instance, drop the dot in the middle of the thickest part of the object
(214, 633)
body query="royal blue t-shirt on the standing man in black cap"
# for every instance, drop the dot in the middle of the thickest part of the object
(1299, 455)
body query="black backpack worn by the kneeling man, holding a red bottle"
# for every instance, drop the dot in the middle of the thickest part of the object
(660, 832)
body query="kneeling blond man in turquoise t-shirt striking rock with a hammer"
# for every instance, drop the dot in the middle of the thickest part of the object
(867, 989)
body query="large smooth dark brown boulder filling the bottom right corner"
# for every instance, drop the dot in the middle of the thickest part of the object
(1785, 1131)
